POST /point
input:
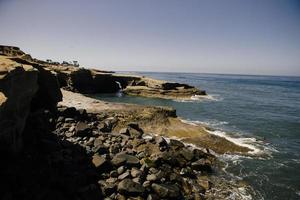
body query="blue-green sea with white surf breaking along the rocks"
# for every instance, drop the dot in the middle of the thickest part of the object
(261, 111)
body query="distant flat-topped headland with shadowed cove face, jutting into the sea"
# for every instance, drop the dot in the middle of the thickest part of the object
(94, 81)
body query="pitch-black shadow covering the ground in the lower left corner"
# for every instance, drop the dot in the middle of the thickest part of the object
(48, 167)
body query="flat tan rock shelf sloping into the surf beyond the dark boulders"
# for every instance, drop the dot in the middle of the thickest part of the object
(155, 120)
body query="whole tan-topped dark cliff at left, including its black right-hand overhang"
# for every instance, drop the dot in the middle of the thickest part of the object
(23, 89)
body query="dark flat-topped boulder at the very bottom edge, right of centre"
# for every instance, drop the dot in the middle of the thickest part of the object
(166, 191)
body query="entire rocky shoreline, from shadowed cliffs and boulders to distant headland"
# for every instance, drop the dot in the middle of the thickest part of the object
(58, 143)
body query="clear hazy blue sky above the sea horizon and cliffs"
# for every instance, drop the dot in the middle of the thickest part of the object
(244, 37)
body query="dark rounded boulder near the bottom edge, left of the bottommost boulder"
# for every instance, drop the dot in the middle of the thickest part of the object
(129, 187)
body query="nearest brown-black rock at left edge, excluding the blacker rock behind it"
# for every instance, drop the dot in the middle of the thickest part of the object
(18, 85)
